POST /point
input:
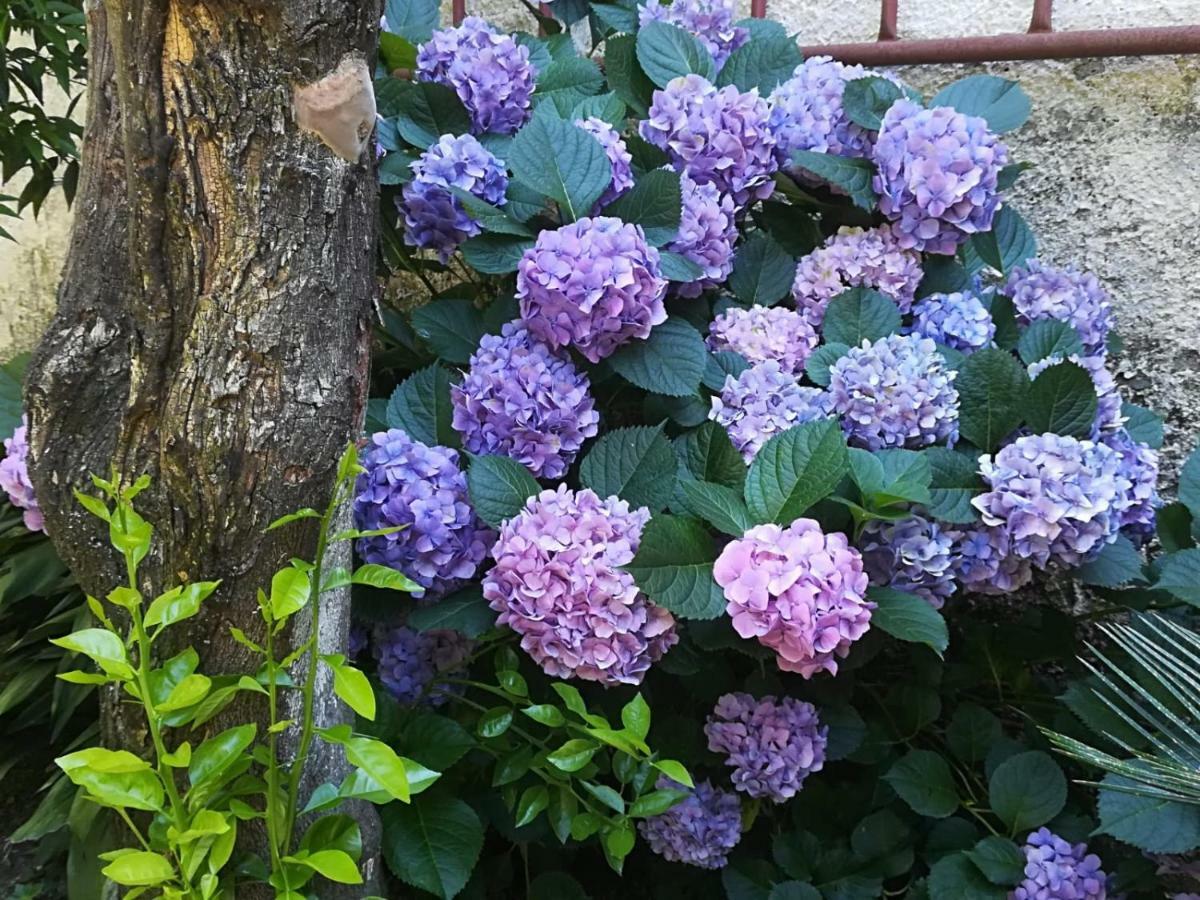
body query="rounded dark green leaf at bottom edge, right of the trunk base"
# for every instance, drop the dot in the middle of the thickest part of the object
(433, 844)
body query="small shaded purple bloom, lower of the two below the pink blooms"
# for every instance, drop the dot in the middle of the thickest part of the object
(699, 831)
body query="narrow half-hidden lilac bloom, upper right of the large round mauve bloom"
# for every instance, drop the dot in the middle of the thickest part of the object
(709, 230)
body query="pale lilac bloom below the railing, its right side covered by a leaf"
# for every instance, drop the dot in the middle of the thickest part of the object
(807, 112)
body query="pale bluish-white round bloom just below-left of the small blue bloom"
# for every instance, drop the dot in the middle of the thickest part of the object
(896, 393)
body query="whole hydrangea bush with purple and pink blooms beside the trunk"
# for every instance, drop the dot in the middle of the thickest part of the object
(731, 393)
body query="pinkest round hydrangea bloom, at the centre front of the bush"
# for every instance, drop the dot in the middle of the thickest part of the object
(799, 591)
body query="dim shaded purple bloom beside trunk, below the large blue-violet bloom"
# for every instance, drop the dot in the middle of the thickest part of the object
(410, 661)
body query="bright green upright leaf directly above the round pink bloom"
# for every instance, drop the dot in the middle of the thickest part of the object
(796, 470)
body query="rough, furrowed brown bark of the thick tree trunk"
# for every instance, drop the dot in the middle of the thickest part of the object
(213, 321)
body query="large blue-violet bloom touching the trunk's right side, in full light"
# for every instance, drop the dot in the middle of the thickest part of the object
(410, 484)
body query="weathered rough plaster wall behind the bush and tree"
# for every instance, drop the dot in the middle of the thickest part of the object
(1117, 190)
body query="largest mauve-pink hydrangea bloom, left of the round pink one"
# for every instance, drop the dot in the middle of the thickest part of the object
(559, 584)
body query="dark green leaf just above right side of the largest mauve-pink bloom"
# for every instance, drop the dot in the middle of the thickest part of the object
(637, 465)
